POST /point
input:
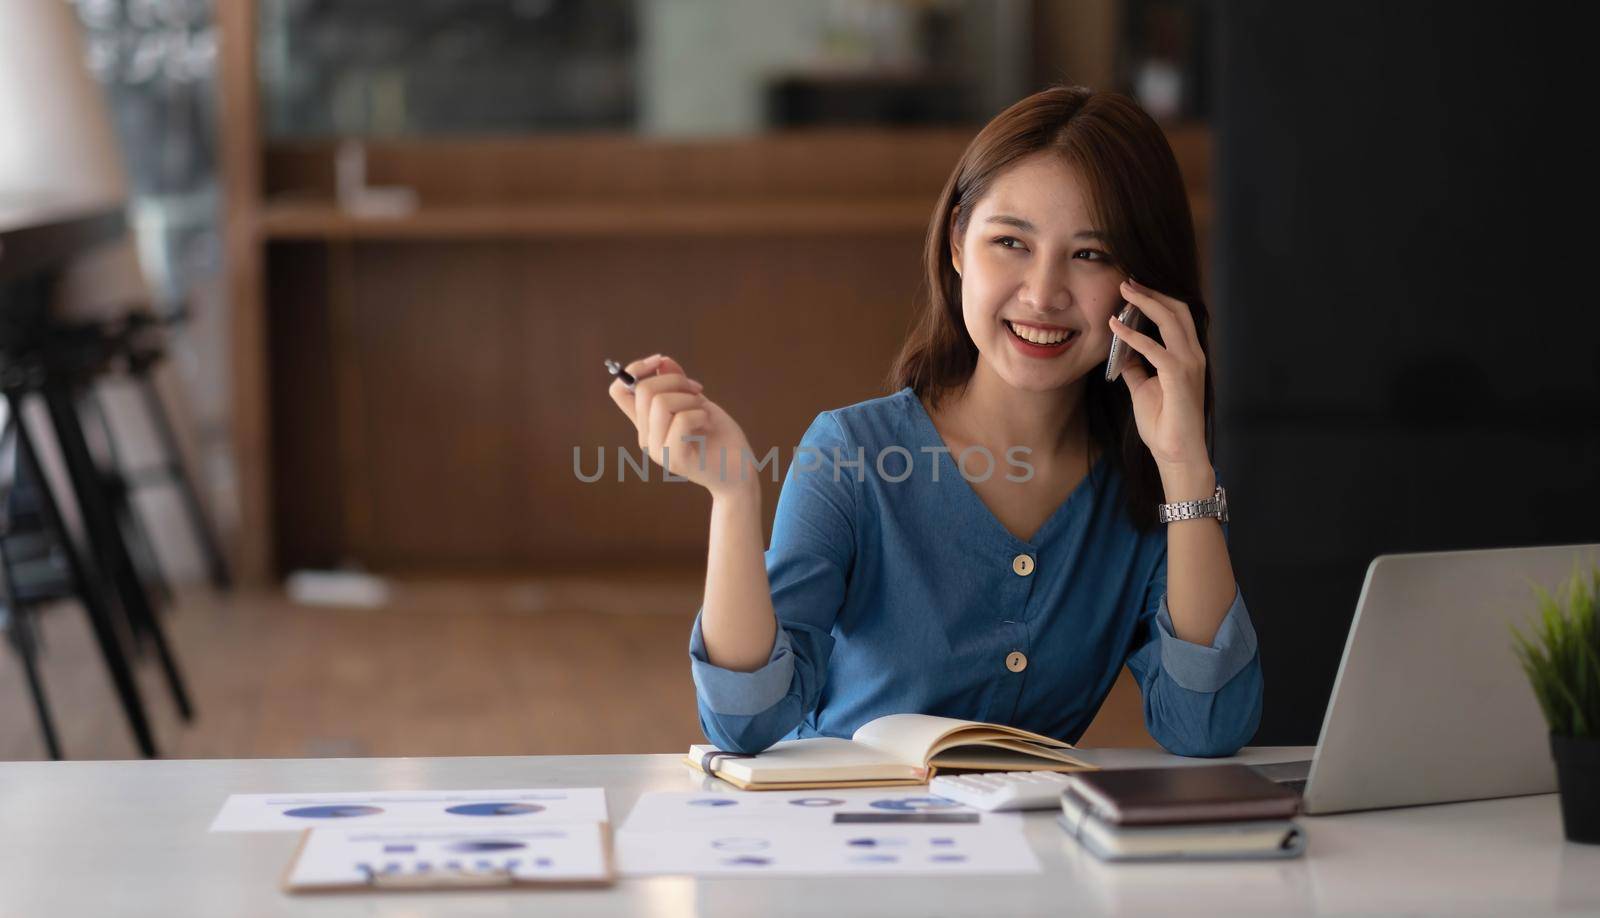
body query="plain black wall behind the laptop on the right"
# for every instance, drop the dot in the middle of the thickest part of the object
(1409, 332)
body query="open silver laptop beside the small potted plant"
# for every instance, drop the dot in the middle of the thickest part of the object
(1431, 706)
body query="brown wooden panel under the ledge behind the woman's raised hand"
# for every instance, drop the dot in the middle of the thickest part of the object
(481, 370)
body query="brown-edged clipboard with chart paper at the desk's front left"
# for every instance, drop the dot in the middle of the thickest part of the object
(367, 879)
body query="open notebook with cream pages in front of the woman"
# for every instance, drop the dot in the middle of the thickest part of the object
(890, 751)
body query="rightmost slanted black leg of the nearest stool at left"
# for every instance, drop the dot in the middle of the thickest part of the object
(102, 527)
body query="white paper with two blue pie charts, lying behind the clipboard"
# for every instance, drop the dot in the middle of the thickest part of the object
(474, 810)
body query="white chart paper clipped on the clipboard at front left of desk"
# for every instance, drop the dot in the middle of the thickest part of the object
(559, 853)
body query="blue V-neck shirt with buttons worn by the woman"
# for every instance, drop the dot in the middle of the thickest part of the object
(911, 597)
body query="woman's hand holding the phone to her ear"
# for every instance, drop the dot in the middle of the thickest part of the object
(1169, 407)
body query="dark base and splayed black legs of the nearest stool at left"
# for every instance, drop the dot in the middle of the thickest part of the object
(42, 359)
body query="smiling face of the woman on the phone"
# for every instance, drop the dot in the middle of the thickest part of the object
(1038, 277)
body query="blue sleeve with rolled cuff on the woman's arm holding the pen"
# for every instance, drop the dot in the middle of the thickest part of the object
(807, 569)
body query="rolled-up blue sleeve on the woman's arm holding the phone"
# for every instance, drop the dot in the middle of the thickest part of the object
(1199, 700)
